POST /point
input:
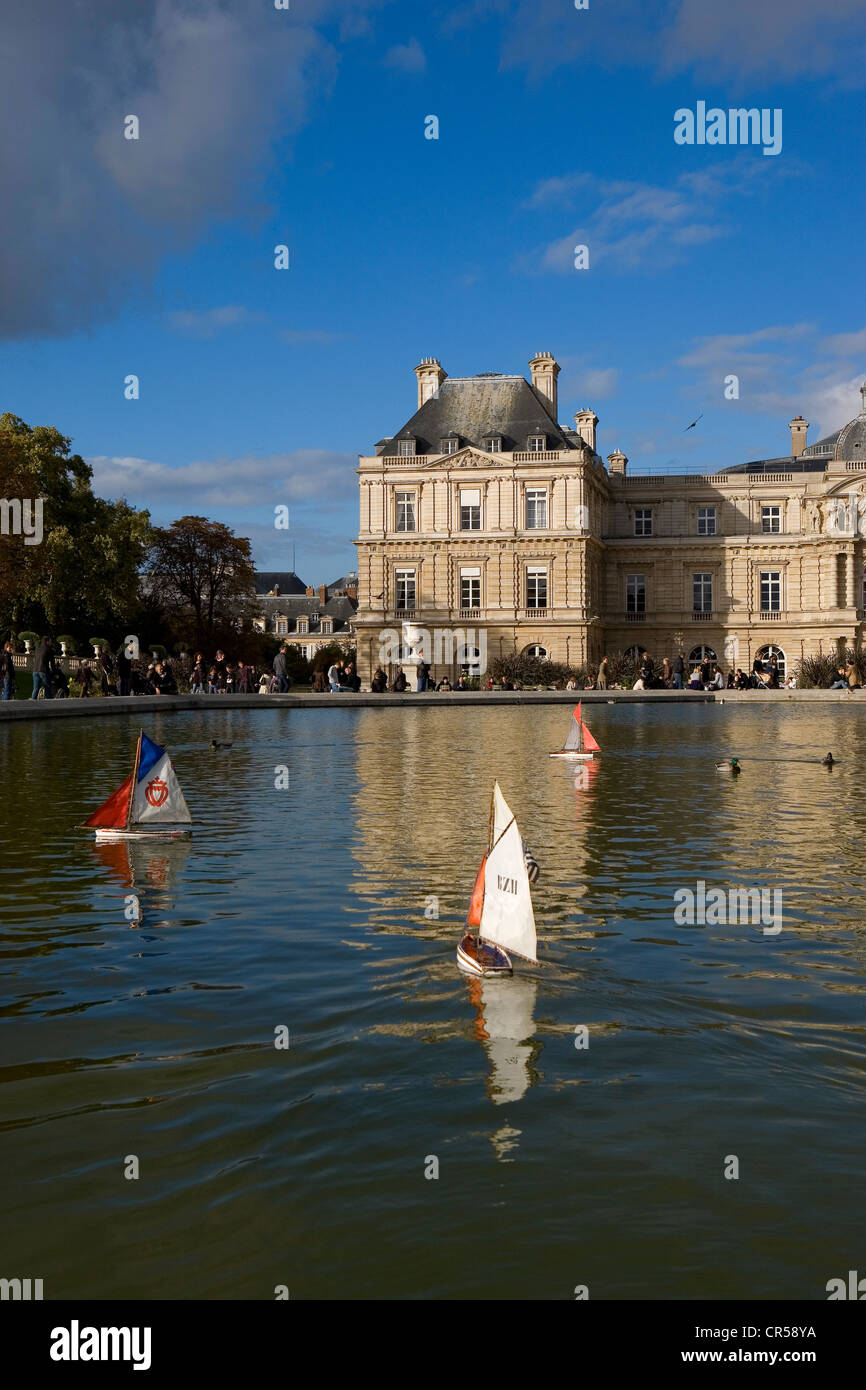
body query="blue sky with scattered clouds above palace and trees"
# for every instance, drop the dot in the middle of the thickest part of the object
(263, 127)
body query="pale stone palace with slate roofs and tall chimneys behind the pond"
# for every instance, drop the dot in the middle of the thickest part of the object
(489, 523)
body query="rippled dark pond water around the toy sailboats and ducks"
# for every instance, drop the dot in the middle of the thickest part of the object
(313, 908)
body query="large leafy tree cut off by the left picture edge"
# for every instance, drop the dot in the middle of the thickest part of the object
(81, 565)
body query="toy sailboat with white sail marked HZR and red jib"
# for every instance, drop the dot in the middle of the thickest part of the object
(503, 906)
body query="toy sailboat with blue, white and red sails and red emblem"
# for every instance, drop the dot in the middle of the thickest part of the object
(149, 804)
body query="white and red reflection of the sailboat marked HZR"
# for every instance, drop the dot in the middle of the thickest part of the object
(505, 1027)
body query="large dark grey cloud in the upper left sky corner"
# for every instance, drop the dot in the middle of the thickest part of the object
(87, 215)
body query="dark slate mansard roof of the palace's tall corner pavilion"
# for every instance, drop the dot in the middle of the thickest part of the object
(476, 408)
